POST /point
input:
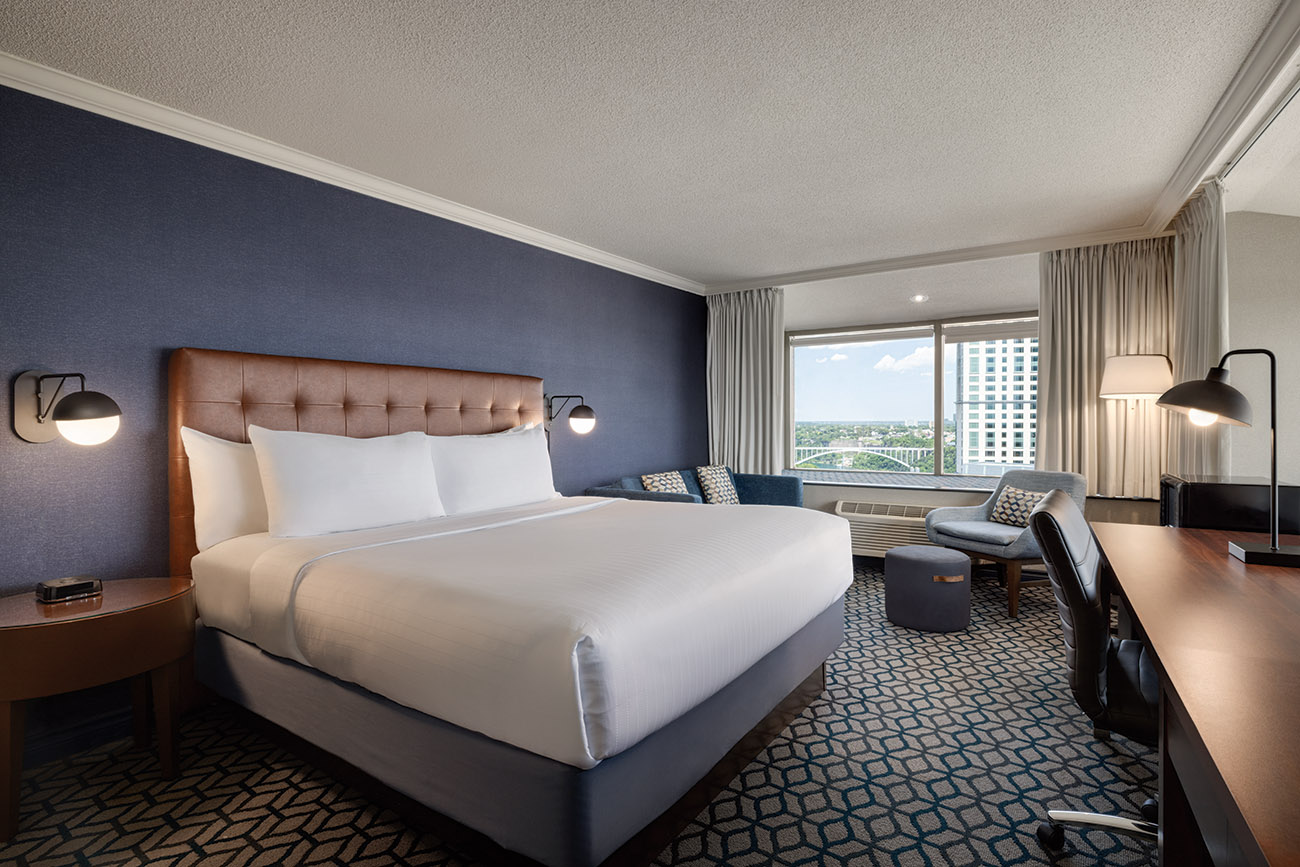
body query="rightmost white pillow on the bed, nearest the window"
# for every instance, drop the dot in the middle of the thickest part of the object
(493, 471)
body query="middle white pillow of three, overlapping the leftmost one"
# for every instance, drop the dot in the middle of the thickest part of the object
(320, 484)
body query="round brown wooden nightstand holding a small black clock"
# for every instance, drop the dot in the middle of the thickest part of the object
(140, 628)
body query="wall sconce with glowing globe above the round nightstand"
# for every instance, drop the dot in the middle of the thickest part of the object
(83, 418)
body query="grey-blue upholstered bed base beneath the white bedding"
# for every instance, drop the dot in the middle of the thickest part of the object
(505, 804)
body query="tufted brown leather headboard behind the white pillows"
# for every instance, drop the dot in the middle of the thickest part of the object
(223, 393)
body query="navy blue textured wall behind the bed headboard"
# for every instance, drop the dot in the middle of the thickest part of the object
(119, 245)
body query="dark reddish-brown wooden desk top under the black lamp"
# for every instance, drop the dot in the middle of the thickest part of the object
(1228, 641)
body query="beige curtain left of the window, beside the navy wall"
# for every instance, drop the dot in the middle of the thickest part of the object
(746, 380)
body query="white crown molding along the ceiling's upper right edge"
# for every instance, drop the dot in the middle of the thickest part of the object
(1268, 59)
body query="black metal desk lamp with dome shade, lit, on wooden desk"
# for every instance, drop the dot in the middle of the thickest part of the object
(1211, 401)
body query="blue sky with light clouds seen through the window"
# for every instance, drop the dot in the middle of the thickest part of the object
(879, 382)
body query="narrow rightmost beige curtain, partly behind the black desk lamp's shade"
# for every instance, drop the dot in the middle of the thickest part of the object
(1201, 324)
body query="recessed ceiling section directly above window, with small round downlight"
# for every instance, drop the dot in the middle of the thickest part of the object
(1006, 285)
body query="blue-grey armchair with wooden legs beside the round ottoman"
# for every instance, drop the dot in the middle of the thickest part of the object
(969, 530)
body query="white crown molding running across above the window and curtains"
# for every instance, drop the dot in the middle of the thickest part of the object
(941, 258)
